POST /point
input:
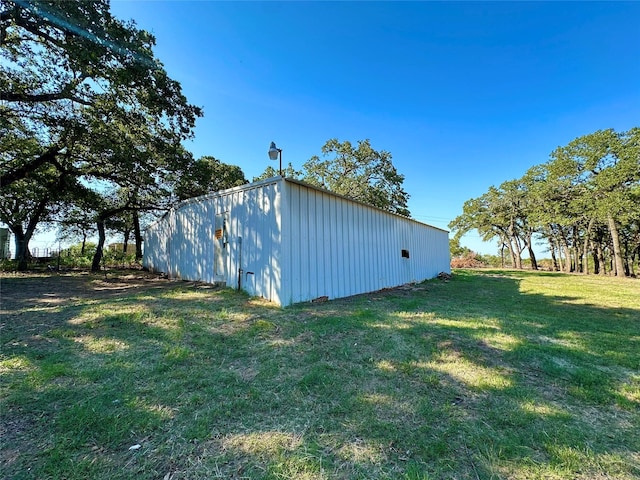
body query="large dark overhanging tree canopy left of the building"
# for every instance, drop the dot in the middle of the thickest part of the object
(87, 107)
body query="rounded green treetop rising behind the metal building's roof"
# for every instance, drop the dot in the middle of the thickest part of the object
(360, 173)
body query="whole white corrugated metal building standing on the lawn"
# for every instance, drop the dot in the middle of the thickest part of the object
(288, 241)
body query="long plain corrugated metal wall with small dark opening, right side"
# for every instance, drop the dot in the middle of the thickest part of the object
(340, 248)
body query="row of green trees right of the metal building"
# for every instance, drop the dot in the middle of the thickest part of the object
(584, 203)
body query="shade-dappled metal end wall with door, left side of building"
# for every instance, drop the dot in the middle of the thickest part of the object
(182, 243)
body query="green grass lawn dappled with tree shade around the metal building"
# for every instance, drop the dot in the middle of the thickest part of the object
(494, 374)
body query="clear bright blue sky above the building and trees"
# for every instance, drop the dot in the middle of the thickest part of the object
(464, 95)
